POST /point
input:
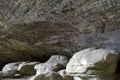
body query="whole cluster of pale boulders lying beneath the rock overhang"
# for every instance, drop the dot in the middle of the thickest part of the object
(90, 62)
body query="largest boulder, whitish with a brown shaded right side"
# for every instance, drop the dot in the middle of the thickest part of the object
(93, 62)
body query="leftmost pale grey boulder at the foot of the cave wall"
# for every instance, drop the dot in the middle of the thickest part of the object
(10, 70)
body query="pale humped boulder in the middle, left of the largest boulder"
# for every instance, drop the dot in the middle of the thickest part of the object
(55, 63)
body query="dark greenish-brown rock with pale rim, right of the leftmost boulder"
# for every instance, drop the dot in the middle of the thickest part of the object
(27, 68)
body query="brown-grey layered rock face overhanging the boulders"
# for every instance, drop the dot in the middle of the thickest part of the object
(31, 29)
